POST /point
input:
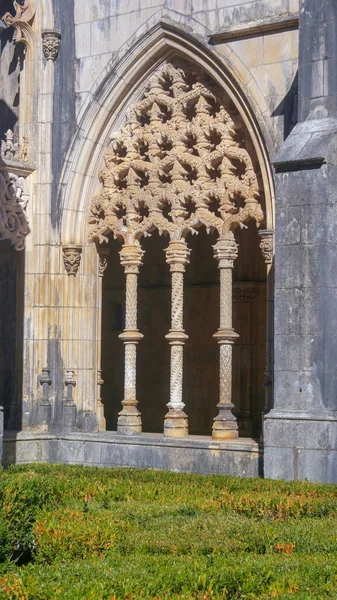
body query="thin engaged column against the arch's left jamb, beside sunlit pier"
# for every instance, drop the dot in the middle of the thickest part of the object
(103, 254)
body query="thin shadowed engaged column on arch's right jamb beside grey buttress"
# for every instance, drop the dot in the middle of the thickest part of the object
(266, 245)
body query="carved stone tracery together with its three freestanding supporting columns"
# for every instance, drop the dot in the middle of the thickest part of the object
(180, 162)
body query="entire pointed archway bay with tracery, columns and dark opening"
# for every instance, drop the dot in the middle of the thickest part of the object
(184, 164)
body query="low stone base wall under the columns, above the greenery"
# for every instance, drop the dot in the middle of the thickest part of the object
(242, 457)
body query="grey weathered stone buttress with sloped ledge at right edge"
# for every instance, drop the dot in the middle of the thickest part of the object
(301, 431)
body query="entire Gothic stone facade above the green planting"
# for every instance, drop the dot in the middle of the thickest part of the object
(167, 226)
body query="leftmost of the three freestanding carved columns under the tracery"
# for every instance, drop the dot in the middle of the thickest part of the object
(129, 419)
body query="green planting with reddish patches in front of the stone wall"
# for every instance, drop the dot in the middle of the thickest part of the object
(85, 533)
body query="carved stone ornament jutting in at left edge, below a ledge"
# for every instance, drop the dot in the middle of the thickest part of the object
(13, 221)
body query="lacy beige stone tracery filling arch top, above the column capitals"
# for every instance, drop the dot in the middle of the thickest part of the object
(180, 162)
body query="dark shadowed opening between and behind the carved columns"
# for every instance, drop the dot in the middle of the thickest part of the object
(201, 320)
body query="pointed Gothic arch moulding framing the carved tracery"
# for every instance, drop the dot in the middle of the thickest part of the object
(121, 84)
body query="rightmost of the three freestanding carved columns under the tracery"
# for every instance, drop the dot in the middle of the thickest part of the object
(225, 424)
